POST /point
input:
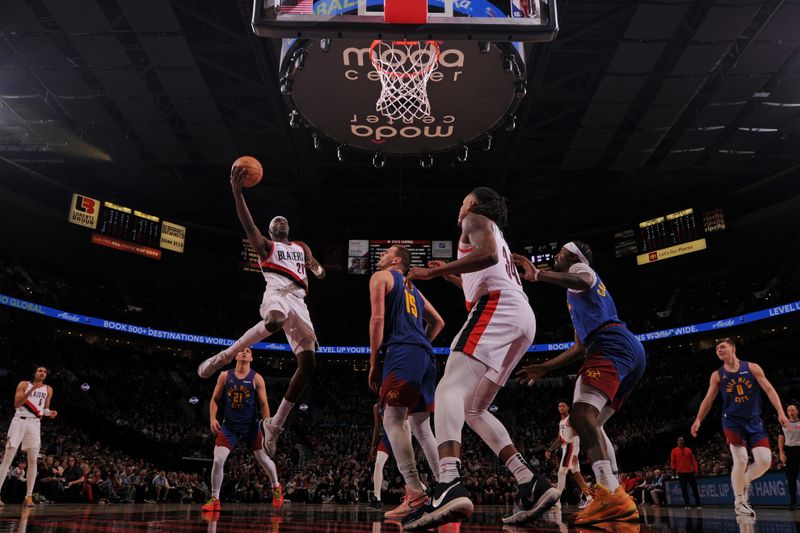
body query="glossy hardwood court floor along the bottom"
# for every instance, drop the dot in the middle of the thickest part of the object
(301, 518)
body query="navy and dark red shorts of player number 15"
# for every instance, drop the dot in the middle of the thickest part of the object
(409, 378)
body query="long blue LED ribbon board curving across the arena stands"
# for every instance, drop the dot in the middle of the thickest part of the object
(792, 307)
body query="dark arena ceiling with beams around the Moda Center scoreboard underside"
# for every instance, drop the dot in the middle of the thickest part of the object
(637, 107)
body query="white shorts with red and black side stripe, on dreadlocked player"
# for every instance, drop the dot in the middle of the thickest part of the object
(498, 332)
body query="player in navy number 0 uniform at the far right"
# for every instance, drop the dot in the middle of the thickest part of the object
(741, 383)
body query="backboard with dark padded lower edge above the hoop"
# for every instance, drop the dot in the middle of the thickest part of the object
(481, 20)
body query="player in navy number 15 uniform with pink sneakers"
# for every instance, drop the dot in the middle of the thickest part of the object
(402, 326)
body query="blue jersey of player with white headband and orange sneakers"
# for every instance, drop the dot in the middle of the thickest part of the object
(592, 308)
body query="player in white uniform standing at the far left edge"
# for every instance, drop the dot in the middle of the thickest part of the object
(32, 403)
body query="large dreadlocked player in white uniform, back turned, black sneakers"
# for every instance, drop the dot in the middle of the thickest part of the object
(499, 330)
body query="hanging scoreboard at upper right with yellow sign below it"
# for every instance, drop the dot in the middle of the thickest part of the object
(668, 236)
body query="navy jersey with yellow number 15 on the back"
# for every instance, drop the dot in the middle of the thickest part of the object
(404, 323)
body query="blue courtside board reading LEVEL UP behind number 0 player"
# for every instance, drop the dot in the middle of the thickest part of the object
(769, 489)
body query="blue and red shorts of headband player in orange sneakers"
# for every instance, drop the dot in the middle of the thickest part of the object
(615, 363)
